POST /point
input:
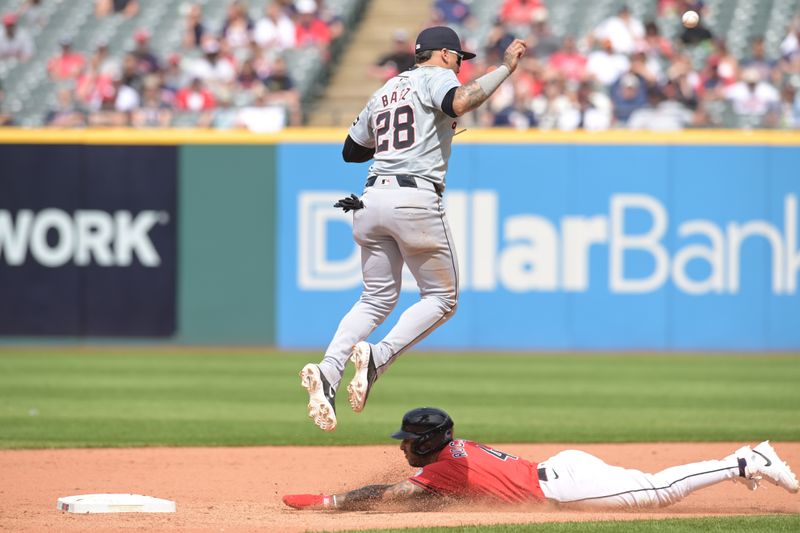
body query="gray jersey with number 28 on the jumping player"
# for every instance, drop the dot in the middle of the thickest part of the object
(404, 122)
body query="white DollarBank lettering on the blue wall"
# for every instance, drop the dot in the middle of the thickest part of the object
(528, 252)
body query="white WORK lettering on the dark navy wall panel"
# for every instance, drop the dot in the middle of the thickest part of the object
(53, 237)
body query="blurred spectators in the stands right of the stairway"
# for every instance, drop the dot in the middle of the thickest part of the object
(626, 74)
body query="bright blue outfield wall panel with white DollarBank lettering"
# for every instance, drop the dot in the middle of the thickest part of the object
(570, 247)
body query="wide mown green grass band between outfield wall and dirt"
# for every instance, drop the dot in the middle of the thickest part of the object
(147, 397)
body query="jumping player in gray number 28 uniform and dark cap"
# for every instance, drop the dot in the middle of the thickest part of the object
(407, 128)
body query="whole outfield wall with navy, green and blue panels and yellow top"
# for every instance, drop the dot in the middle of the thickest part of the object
(588, 241)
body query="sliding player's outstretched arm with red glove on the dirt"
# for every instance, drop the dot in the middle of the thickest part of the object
(359, 499)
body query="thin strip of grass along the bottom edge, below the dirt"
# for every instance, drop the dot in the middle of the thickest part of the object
(751, 524)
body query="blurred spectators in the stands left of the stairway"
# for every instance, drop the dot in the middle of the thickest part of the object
(229, 77)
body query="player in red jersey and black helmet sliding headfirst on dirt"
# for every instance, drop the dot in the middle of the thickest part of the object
(461, 469)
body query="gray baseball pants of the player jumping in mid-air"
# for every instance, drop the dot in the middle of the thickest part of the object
(398, 225)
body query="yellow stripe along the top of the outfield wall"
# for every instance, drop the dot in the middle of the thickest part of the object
(337, 135)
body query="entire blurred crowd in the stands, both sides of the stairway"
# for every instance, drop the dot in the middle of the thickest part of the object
(624, 73)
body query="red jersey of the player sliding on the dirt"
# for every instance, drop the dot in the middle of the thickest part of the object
(466, 468)
